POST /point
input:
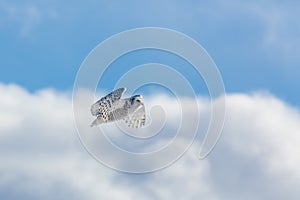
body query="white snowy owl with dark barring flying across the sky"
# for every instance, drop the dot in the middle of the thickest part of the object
(112, 108)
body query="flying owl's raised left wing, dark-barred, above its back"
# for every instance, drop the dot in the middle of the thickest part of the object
(106, 104)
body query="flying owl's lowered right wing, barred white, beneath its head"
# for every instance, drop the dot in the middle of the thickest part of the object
(137, 118)
